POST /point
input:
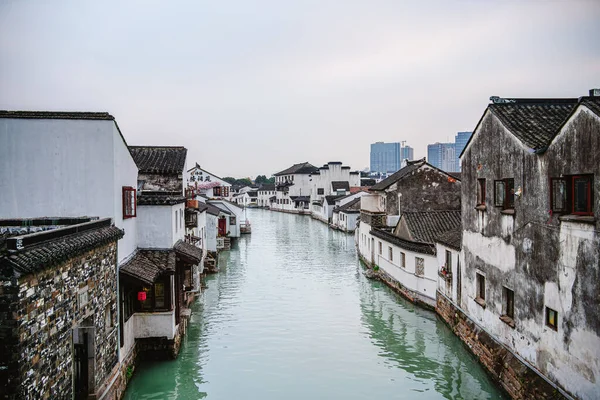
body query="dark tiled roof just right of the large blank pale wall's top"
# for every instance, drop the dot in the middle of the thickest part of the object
(159, 159)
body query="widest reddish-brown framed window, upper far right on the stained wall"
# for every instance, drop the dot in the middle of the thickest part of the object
(572, 194)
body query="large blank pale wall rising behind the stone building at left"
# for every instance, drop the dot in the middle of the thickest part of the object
(67, 168)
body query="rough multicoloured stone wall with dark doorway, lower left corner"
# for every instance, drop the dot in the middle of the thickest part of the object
(37, 324)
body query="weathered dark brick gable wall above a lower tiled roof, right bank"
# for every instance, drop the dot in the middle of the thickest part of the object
(426, 189)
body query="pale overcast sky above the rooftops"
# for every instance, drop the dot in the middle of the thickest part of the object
(252, 87)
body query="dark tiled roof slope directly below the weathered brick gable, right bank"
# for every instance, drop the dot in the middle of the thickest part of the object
(426, 226)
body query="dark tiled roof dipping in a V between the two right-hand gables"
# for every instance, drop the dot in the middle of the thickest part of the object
(534, 122)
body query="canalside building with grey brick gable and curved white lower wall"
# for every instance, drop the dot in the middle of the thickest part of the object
(400, 222)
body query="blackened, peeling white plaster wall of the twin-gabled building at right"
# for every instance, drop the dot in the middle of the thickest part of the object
(545, 261)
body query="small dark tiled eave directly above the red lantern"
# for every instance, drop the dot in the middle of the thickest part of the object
(147, 265)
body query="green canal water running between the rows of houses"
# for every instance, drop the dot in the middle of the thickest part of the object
(291, 316)
